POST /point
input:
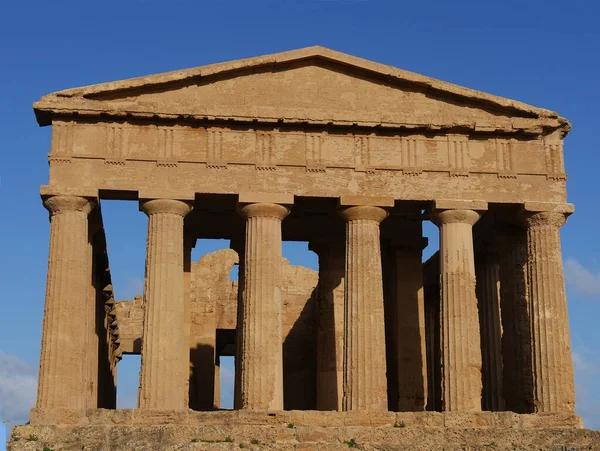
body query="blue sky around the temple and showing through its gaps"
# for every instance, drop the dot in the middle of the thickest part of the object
(541, 52)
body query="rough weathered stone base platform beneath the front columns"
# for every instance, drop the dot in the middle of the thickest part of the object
(314, 430)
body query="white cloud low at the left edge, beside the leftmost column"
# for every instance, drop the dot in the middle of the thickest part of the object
(18, 388)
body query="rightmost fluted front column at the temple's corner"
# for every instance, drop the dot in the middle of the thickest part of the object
(553, 385)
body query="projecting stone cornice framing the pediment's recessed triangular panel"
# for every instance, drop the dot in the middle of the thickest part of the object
(105, 99)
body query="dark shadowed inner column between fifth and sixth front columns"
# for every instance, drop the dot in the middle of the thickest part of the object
(488, 297)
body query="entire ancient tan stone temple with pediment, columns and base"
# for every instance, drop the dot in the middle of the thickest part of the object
(468, 348)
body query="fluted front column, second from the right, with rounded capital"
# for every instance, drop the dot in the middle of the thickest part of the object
(460, 343)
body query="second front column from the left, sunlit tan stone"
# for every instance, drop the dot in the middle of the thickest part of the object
(165, 354)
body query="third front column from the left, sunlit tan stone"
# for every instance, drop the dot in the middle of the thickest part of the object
(260, 353)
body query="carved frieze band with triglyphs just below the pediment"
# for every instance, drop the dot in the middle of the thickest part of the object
(268, 150)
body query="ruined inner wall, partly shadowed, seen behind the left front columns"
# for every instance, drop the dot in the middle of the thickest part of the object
(214, 311)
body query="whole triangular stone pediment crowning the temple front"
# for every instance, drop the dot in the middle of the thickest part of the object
(312, 85)
